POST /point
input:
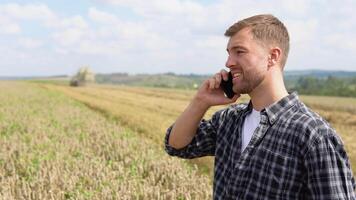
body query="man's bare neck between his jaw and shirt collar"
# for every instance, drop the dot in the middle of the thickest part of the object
(271, 90)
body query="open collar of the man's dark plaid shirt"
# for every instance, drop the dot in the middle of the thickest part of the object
(275, 110)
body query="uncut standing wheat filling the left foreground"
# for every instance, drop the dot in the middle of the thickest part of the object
(53, 147)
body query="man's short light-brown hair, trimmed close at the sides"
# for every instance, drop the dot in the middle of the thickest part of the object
(267, 29)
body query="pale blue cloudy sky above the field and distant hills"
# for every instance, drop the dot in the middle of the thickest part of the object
(43, 38)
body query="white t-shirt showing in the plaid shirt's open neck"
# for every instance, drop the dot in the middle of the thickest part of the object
(251, 122)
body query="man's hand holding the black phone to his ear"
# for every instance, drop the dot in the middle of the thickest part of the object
(211, 94)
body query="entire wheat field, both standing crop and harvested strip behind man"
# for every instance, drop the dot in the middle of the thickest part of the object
(106, 142)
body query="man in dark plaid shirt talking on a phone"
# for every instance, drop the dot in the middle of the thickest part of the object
(274, 147)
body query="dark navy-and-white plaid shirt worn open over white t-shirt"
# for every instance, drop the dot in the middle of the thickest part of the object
(293, 154)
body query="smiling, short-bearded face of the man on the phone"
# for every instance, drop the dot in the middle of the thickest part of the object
(247, 61)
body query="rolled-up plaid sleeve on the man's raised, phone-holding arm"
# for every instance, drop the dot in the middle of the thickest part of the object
(203, 143)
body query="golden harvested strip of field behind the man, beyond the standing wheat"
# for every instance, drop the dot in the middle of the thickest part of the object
(151, 110)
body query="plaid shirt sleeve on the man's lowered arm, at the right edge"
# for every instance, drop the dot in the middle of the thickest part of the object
(329, 171)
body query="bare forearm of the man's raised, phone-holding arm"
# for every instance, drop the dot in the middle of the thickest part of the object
(187, 123)
